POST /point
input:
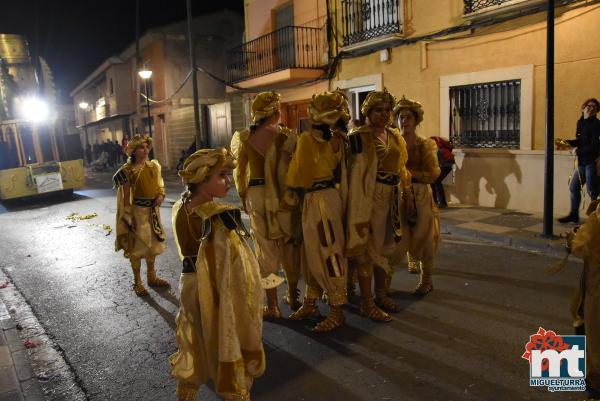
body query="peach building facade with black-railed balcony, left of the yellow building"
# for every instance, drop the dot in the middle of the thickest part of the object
(285, 50)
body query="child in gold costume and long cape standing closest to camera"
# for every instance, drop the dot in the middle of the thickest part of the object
(219, 324)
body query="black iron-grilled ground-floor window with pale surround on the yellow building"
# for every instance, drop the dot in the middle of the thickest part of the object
(486, 115)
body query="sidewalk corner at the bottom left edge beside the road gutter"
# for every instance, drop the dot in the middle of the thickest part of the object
(17, 381)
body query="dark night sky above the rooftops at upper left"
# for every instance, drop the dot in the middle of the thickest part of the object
(75, 36)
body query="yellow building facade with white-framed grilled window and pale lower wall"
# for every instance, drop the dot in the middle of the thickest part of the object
(479, 69)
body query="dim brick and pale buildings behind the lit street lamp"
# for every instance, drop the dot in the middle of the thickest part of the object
(116, 93)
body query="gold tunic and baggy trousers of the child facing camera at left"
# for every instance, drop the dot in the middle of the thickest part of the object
(143, 240)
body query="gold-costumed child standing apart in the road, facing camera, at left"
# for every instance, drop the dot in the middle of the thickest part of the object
(140, 192)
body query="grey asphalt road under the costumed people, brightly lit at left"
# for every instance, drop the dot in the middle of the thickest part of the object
(462, 342)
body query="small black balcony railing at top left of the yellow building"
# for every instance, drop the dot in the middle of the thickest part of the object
(368, 19)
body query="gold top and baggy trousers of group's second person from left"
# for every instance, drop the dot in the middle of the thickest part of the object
(324, 262)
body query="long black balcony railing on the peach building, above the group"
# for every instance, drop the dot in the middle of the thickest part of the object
(285, 48)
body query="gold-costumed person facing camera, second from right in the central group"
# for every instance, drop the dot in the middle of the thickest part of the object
(377, 188)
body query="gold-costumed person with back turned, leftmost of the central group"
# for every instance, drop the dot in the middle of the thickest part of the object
(263, 152)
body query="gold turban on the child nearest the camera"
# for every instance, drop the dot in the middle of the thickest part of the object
(204, 163)
